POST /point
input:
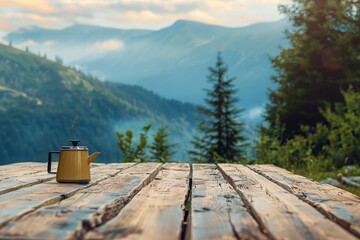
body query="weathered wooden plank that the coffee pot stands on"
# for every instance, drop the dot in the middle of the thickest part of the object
(18, 203)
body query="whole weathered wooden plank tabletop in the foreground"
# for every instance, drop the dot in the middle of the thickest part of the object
(174, 201)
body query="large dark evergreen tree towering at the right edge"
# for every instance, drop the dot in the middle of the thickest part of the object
(322, 60)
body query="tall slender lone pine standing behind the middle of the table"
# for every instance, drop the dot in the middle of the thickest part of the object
(220, 127)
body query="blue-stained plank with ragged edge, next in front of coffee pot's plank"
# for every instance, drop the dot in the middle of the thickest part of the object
(72, 217)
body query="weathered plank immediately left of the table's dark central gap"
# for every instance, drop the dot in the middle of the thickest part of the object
(155, 212)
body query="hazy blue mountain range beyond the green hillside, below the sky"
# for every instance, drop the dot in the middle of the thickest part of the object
(172, 61)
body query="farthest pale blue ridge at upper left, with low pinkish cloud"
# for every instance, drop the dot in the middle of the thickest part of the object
(72, 43)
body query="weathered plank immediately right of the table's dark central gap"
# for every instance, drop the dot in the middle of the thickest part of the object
(217, 210)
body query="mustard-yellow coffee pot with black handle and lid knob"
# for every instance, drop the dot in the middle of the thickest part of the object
(74, 163)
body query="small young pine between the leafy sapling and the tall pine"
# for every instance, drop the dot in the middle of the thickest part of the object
(161, 149)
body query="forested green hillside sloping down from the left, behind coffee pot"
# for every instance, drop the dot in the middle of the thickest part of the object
(43, 104)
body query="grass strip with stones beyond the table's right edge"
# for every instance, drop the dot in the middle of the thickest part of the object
(345, 171)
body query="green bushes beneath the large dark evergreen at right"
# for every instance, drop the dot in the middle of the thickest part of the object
(323, 147)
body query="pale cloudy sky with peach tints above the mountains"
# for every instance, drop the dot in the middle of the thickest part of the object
(126, 14)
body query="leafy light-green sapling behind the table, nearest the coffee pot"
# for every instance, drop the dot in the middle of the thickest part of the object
(130, 152)
